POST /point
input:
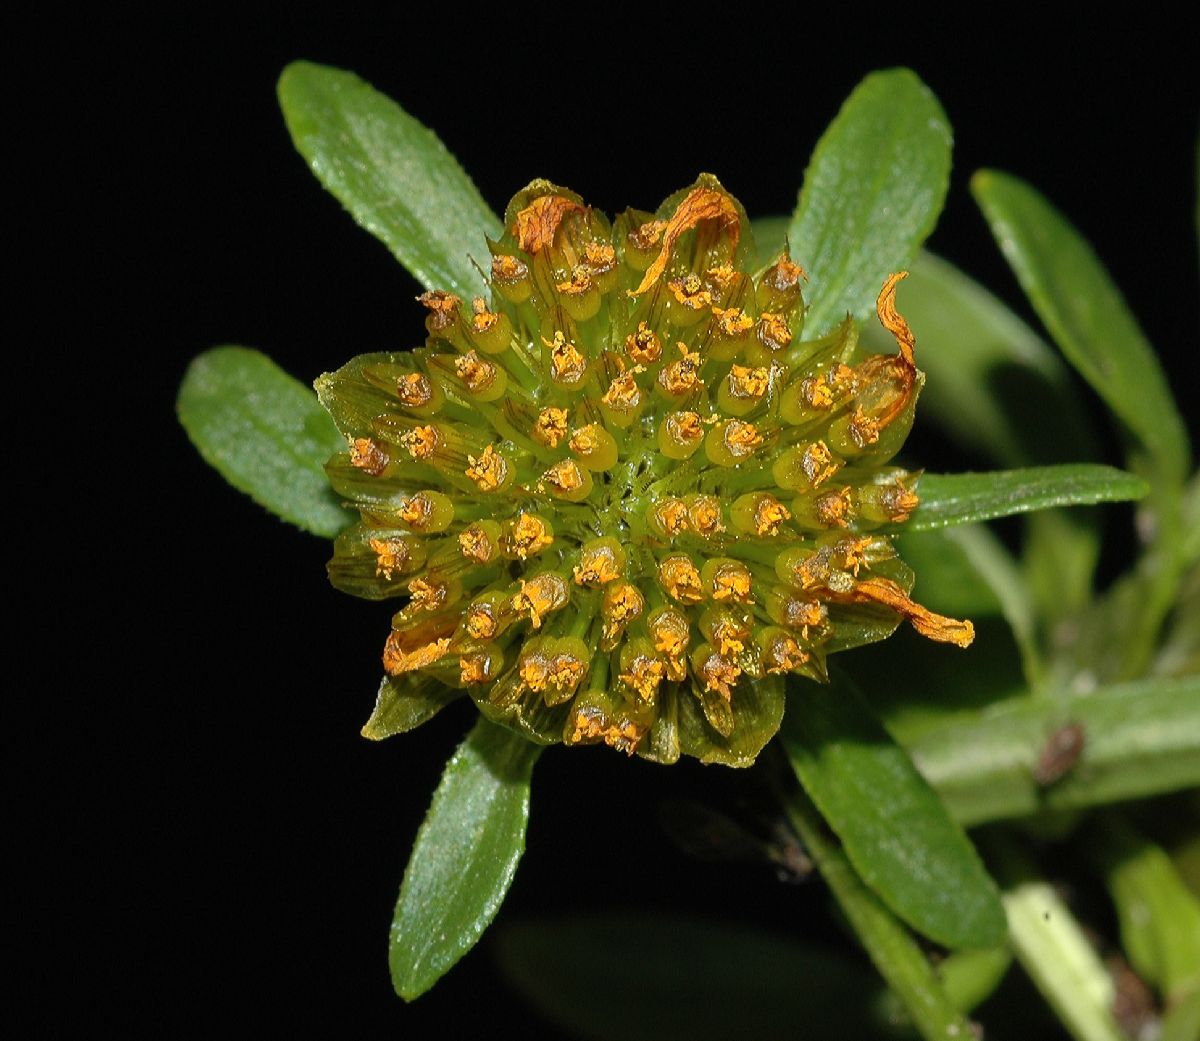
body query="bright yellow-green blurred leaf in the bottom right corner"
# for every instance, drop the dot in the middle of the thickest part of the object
(1160, 918)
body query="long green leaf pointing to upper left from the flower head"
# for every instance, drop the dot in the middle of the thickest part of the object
(393, 174)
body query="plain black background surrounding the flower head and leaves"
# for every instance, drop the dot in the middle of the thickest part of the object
(230, 847)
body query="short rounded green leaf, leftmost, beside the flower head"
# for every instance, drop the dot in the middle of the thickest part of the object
(266, 434)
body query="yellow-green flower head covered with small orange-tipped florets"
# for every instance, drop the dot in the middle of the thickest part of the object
(622, 498)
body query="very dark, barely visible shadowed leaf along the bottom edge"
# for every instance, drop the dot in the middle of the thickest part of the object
(656, 977)
